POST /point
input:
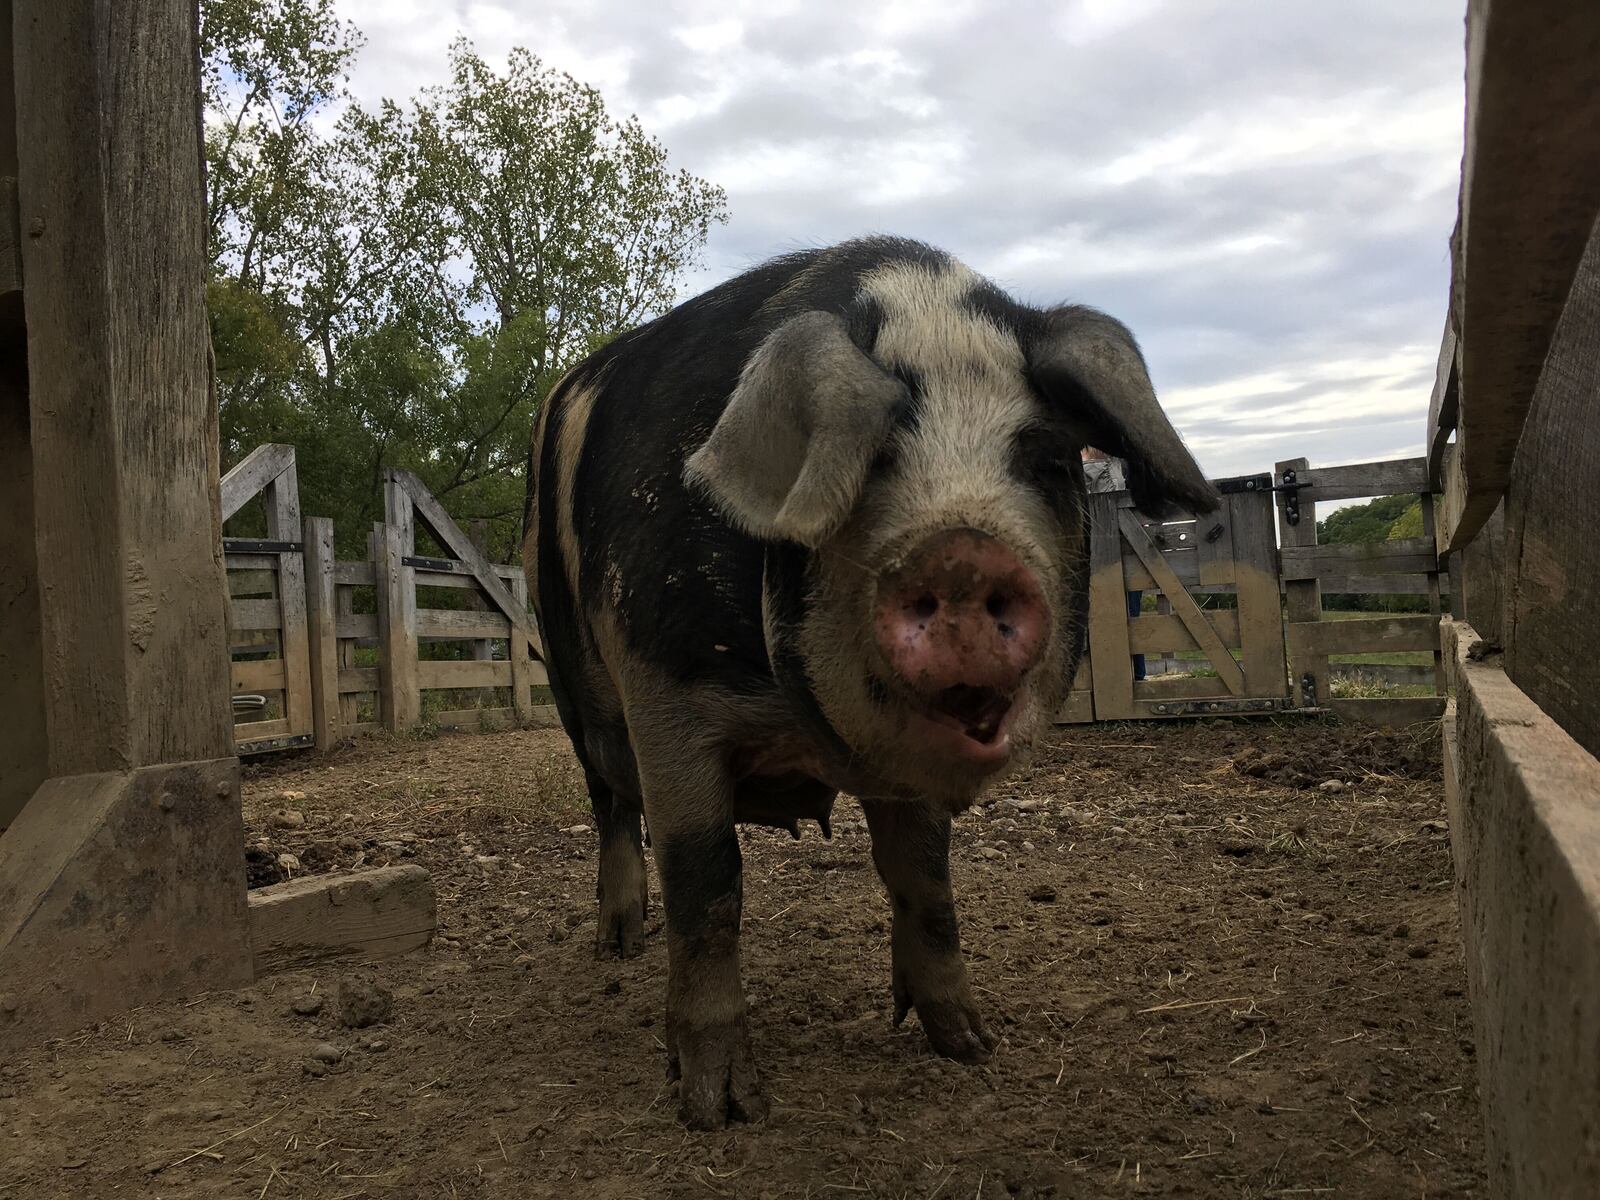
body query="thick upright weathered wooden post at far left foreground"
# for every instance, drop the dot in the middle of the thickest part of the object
(122, 423)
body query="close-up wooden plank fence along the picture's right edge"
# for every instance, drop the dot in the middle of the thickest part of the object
(1519, 388)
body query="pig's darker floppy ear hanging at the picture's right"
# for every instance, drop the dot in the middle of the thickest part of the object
(1090, 367)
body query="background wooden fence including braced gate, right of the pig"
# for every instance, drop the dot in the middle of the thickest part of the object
(1239, 625)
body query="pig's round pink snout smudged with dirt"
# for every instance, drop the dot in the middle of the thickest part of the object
(961, 620)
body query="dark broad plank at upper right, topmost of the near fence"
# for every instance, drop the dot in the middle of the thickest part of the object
(1527, 209)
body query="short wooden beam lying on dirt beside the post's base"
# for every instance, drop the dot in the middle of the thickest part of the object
(372, 914)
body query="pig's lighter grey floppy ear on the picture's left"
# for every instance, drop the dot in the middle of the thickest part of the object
(799, 436)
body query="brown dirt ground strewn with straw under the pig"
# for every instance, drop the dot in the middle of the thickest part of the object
(1225, 961)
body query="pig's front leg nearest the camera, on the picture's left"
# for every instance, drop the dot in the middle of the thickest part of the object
(689, 802)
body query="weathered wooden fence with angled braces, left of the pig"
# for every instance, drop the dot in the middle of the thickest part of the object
(326, 649)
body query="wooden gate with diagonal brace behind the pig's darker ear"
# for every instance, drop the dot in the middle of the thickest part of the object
(1217, 586)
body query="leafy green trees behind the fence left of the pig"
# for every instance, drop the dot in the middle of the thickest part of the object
(404, 286)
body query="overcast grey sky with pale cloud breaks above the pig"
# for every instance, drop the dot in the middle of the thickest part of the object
(1262, 190)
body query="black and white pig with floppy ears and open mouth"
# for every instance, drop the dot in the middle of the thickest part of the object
(822, 530)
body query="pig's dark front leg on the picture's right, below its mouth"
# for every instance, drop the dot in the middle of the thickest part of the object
(911, 849)
